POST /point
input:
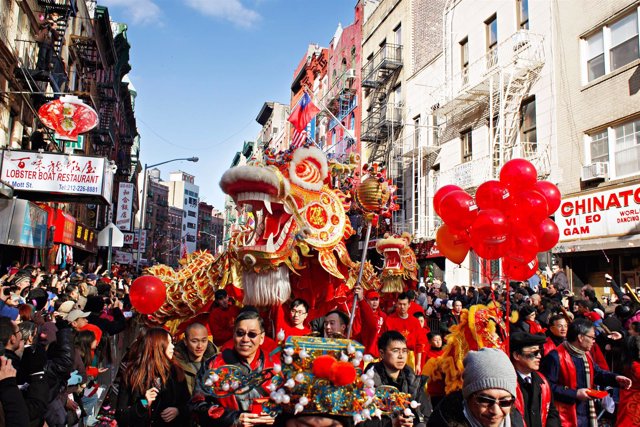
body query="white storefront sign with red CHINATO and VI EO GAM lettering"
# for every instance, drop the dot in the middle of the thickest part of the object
(609, 213)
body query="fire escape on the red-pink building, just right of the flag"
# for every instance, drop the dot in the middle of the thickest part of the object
(341, 100)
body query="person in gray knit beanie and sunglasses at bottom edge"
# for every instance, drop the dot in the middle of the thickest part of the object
(487, 396)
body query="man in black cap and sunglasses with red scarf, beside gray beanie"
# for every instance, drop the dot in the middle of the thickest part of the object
(534, 399)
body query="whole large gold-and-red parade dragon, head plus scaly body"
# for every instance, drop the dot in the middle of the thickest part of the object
(296, 243)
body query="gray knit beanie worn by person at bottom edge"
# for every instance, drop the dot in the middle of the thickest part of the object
(488, 368)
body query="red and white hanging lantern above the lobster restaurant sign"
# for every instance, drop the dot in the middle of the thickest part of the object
(68, 116)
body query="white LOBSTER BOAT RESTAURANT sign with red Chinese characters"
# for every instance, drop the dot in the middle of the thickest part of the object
(45, 176)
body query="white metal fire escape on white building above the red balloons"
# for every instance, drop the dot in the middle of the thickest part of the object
(499, 81)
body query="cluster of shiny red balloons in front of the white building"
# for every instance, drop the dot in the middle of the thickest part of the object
(508, 219)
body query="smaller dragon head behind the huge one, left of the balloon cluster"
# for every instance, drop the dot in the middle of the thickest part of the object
(400, 269)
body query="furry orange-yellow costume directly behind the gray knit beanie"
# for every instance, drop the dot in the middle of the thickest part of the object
(480, 326)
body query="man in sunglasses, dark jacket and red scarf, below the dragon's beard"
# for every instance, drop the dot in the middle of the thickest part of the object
(235, 410)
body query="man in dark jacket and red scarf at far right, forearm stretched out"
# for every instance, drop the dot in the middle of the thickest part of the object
(573, 374)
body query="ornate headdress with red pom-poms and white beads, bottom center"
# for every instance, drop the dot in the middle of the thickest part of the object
(316, 376)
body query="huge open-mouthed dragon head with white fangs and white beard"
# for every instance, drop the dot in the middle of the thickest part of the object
(295, 212)
